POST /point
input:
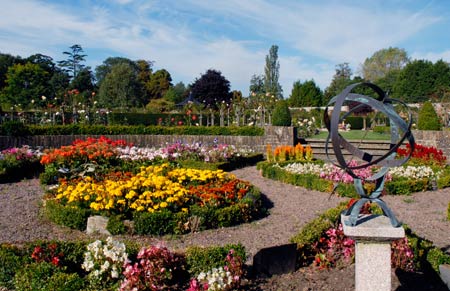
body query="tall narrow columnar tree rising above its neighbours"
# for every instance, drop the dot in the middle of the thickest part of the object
(272, 73)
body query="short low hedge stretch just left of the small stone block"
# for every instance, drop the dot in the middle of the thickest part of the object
(73, 217)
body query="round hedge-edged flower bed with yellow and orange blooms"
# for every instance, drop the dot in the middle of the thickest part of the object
(159, 196)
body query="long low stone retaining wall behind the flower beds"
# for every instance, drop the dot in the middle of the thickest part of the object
(274, 135)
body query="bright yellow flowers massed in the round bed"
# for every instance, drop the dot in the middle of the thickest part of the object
(153, 188)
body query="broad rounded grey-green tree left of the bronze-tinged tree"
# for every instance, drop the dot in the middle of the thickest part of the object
(120, 88)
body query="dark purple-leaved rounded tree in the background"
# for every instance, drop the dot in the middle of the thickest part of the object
(211, 89)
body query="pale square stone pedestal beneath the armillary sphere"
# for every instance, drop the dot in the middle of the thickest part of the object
(373, 235)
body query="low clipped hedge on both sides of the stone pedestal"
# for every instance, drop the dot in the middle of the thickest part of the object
(427, 257)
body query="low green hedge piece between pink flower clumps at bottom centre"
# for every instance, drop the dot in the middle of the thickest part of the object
(201, 259)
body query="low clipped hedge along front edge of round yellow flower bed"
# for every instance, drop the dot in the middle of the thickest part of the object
(165, 222)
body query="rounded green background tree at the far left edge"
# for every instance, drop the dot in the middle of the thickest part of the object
(25, 83)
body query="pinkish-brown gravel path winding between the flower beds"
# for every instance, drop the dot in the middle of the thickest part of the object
(292, 207)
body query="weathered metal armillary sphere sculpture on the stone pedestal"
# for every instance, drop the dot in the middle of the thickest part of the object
(400, 131)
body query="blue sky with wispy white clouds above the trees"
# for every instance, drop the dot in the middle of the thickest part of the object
(188, 37)
